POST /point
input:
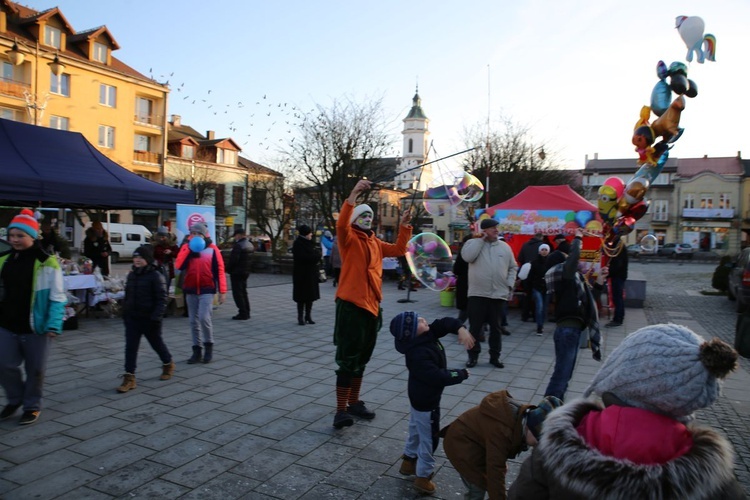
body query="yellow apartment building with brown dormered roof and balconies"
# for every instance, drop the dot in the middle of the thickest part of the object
(55, 76)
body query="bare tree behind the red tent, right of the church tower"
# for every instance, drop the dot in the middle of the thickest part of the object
(512, 160)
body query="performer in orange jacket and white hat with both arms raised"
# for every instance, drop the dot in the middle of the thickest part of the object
(358, 313)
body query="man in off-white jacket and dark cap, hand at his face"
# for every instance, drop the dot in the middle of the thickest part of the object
(492, 273)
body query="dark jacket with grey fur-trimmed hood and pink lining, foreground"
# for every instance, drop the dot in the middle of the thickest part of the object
(588, 452)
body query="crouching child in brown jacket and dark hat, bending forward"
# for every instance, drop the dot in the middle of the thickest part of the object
(481, 440)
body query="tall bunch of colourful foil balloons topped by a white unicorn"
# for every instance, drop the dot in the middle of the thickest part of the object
(621, 204)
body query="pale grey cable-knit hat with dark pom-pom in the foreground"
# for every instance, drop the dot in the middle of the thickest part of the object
(667, 369)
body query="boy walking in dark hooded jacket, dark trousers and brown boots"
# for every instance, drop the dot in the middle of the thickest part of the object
(143, 309)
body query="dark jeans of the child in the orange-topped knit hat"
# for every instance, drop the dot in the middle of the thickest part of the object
(31, 349)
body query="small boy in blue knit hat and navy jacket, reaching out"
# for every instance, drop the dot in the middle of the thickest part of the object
(428, 376)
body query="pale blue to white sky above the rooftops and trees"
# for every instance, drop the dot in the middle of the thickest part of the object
(575, 73)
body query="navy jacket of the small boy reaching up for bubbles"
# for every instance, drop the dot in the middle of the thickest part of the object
(425, 359)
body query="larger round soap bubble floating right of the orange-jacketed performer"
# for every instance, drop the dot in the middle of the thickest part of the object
(430, 261)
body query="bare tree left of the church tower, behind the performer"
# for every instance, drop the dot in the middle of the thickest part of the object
(335, 147)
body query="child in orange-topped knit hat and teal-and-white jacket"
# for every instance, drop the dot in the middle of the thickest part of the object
(32, 306)
